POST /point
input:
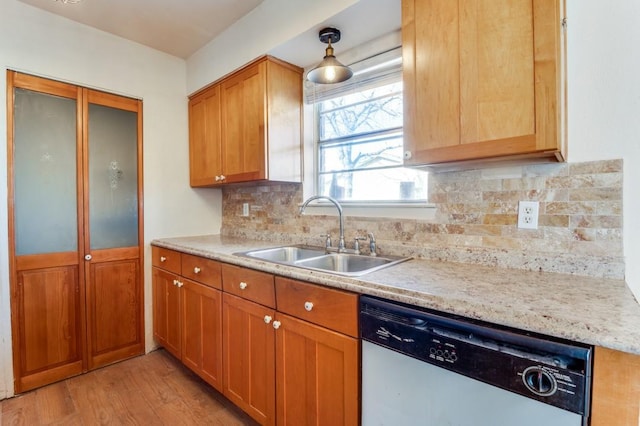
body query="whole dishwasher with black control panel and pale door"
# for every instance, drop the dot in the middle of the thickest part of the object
(420, 367)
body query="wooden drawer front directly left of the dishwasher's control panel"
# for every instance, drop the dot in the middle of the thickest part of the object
(334, 309)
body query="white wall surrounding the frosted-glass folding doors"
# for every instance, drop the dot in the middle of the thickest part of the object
(40, 43)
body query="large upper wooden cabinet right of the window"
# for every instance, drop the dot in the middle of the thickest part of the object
(482, 80)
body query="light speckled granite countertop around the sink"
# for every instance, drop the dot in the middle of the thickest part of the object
(595, 311)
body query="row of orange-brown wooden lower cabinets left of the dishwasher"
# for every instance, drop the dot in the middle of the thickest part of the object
(284, 351)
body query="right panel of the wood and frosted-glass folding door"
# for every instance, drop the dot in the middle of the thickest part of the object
(112, 232)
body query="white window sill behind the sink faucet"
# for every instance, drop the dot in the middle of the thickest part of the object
(414, 210)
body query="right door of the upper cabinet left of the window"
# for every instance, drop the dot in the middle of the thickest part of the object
(243, 125)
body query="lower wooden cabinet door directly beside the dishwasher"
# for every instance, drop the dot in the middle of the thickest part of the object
(317, 375)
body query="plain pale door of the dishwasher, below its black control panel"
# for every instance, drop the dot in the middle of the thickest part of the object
(398, 390)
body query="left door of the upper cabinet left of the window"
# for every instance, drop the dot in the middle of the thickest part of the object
(205, 163)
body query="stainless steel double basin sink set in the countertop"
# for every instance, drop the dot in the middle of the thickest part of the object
(319, 259)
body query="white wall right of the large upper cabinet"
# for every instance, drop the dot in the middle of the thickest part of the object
(604, 101)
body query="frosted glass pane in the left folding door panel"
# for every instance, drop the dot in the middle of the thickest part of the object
(44, 173)
